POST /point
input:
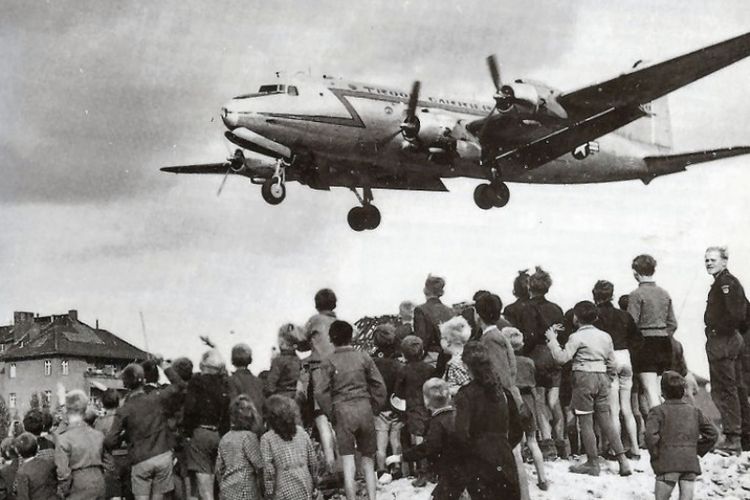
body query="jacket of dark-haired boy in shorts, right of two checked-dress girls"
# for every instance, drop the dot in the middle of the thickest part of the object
(348, 375)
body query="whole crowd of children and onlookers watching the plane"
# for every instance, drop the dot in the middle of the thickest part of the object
(456, 396)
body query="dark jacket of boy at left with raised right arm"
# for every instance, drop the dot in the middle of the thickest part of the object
(142, 423)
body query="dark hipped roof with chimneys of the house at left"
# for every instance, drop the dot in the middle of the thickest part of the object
(65, 335)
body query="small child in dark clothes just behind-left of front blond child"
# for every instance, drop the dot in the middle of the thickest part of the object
(409, 388)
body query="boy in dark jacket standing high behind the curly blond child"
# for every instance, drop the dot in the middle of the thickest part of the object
(429, 316)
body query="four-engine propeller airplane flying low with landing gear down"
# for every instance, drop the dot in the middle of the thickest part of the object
(328, 132)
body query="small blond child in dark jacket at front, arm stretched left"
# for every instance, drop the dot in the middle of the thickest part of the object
(440, 446)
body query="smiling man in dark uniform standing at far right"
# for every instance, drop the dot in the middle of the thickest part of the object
(726, 319)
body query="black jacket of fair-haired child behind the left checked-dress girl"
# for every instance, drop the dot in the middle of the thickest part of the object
(207, 403)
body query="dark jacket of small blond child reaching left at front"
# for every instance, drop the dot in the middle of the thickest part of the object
(441, 447)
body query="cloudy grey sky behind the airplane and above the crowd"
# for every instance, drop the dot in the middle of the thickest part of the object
(97, 96)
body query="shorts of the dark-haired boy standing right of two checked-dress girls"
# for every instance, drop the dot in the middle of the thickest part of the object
(355, 428)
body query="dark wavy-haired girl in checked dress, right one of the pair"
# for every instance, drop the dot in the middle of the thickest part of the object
(289, 461)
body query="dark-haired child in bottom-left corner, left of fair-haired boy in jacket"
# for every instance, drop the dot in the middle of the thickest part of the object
(35, 479)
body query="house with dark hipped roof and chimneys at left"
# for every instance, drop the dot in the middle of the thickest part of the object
(37, 353)
